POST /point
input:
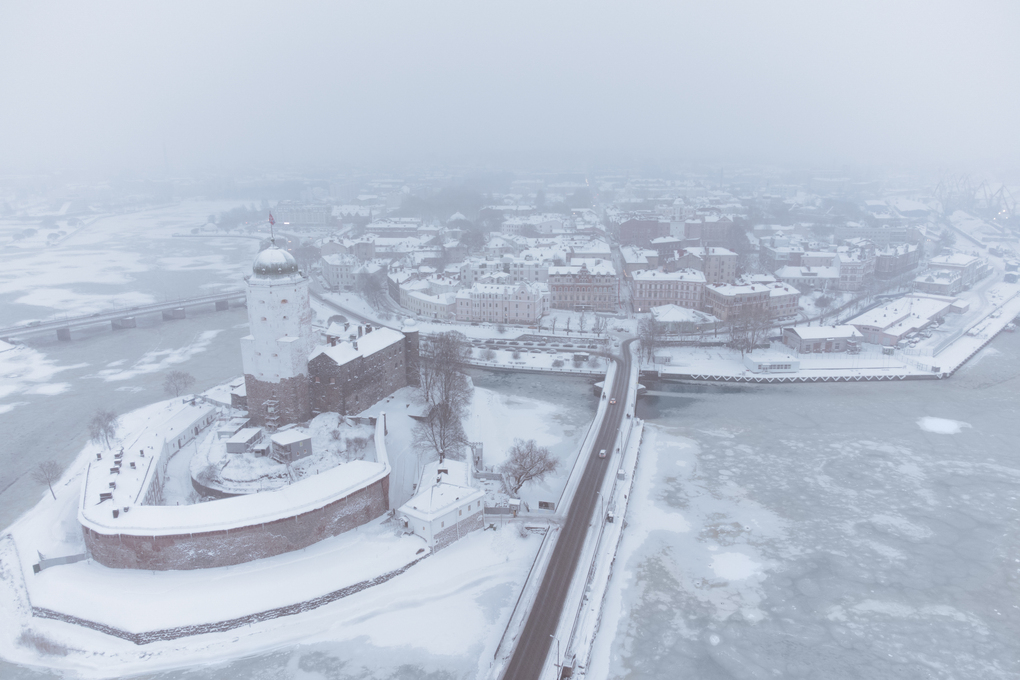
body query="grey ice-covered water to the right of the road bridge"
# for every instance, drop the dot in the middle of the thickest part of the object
(826, 532)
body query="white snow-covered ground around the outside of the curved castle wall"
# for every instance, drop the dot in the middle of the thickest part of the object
(471, 587)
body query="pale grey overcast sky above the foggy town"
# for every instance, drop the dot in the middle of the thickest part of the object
(258, 85)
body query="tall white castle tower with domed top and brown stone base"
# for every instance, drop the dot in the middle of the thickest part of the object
(276, 354)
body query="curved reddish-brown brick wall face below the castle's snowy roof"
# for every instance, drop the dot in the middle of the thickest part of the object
(222, 549)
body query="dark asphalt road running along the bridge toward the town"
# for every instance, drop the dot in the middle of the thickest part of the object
(537, 639)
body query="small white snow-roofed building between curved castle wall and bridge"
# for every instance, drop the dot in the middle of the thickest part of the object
(447, 506)
